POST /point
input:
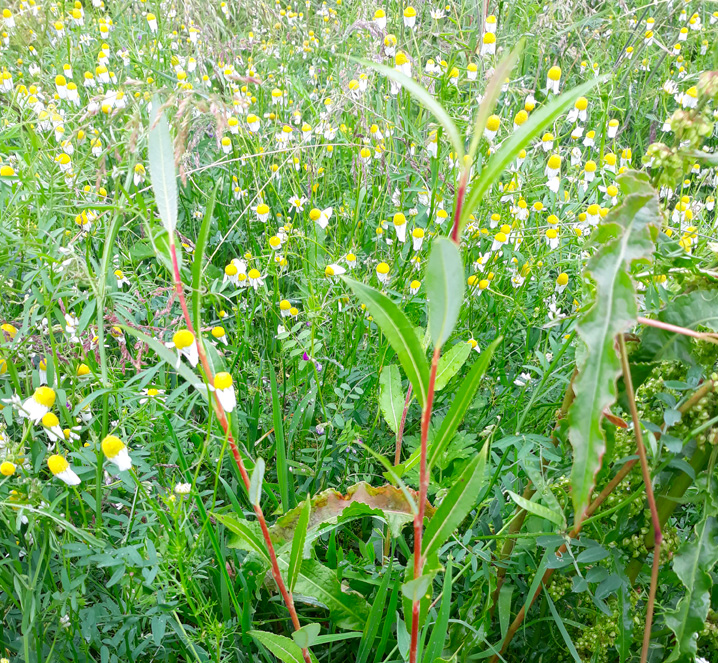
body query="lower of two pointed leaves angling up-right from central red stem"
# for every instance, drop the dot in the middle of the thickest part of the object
(456, 505)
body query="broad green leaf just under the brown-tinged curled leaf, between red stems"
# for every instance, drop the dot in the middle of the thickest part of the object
(347, 610)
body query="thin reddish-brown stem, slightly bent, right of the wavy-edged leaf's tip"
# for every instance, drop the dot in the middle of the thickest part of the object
(658, 535)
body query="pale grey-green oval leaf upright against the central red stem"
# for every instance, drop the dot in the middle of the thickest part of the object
(444, 289)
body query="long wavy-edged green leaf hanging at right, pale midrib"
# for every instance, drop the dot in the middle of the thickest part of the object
(625, 237)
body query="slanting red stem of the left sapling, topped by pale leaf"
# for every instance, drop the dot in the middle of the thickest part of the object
(222, 418)
